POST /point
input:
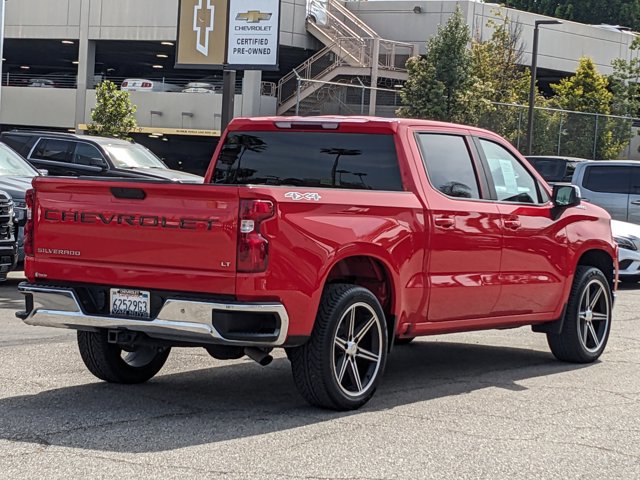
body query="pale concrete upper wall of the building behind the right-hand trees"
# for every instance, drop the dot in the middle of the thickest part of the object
(560, 45)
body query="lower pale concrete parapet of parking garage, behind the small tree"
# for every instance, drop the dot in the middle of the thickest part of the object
(24, 106)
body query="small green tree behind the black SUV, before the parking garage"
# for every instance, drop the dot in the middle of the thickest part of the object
(114, 115)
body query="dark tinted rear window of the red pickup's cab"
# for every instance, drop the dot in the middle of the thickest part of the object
(309, 159)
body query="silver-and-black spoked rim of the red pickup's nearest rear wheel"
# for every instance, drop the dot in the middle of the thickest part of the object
(357, 349)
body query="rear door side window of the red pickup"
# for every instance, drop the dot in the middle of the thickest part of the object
(449, 164)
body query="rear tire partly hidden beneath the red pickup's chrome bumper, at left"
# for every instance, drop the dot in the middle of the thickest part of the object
(106, 361)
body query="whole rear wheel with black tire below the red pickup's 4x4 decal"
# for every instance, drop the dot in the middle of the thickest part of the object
(325, 368)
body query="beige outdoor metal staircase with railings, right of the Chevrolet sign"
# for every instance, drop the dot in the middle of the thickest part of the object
(352, 49)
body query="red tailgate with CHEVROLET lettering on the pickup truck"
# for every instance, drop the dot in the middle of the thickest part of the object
(148, 234)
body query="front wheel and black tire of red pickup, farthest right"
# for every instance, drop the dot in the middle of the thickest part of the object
(585, 331)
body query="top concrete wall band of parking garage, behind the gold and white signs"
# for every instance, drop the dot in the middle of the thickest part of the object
(126, 20)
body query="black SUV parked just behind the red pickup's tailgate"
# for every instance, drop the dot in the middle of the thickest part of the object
(67, 154)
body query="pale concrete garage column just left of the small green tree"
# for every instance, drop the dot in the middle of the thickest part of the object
(86, 65)
